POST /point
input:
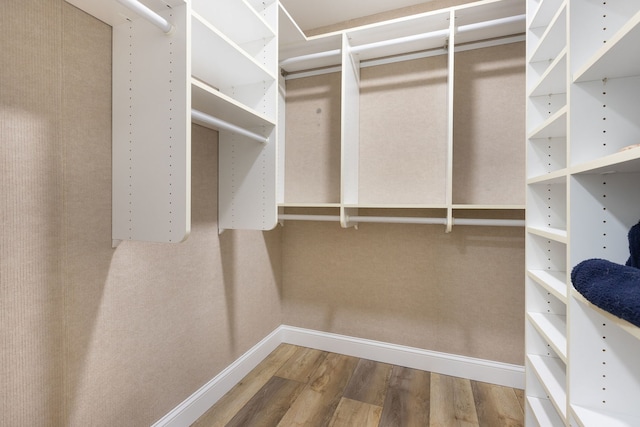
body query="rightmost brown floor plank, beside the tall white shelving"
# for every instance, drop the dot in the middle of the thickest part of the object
(497, 406)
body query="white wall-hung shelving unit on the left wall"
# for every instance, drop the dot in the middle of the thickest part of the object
(217, 67)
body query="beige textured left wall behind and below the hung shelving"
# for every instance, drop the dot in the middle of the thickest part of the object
(92, 335)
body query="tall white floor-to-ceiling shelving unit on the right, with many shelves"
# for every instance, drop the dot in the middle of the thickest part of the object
(583, 77)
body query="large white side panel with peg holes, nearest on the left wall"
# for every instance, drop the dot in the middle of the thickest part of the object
(151, 131)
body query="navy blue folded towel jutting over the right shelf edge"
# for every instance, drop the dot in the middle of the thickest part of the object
(610, 286)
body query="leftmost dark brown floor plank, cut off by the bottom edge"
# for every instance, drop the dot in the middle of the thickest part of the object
(269, 404)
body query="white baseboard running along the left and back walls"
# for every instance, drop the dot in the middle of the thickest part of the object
(443, 363)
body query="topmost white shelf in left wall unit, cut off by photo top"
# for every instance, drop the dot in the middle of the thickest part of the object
(226, 16)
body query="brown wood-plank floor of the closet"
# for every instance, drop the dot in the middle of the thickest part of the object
(298, 386)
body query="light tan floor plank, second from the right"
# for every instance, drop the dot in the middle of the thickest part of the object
(452, 403)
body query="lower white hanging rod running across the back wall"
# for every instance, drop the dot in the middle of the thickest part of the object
(407, 220)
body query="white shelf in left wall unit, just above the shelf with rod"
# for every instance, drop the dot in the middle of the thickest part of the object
(210, 47)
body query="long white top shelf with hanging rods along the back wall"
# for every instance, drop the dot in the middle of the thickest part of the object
(483, 20)
